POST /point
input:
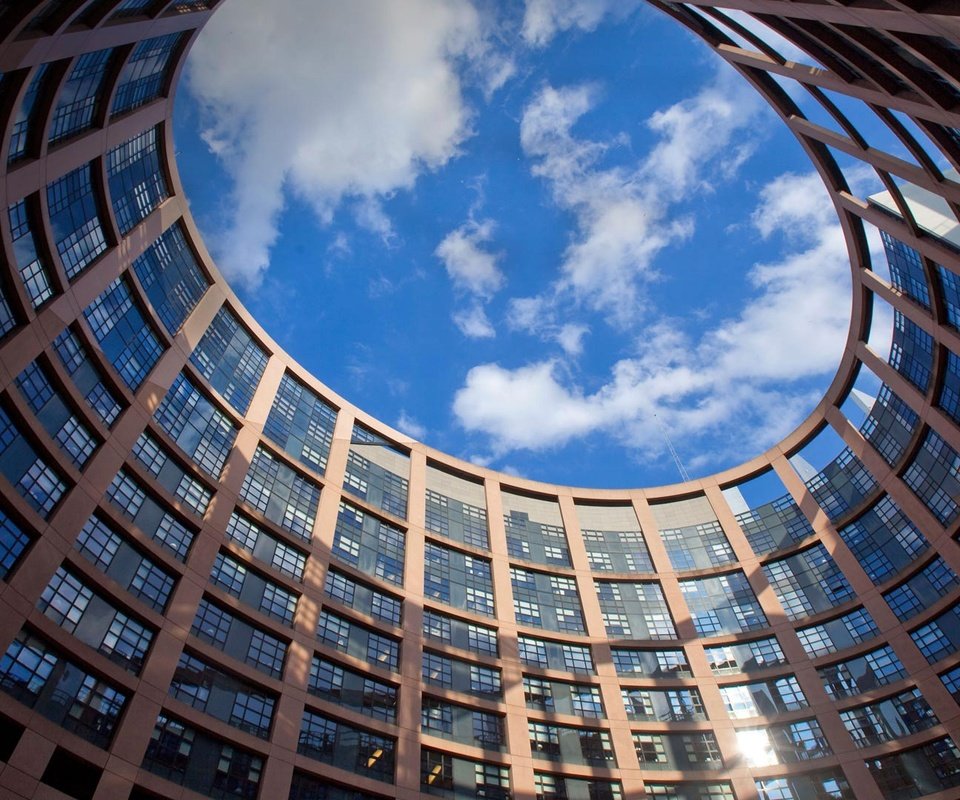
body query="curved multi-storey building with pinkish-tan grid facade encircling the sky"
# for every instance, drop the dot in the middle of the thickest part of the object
(221, 579)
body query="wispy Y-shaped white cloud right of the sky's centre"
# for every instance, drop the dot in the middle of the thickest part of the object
(624, 214)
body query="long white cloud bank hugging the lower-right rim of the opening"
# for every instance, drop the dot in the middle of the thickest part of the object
(739, 385)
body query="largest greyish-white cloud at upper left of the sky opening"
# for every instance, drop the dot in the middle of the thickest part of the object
(330, 101)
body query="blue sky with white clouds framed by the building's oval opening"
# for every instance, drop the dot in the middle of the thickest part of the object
(518, 231)
